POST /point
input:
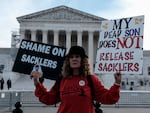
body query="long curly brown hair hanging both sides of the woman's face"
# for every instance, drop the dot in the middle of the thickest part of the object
(84, 70)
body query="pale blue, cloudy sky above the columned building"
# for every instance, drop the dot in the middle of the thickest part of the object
(110, 9)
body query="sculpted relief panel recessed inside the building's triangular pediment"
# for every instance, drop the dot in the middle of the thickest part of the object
(62, 14)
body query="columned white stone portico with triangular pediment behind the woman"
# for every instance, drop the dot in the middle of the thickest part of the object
(63, 26)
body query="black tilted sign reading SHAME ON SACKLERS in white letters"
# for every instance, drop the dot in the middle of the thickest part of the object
(48, 57)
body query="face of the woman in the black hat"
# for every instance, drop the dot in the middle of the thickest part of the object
(75, 61)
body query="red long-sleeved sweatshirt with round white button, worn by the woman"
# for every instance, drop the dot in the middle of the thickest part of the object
(75, 95)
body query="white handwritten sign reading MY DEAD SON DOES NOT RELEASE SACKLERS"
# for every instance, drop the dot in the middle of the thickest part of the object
(120, 46)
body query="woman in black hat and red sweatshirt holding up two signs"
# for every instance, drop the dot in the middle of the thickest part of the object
(74, 92)
